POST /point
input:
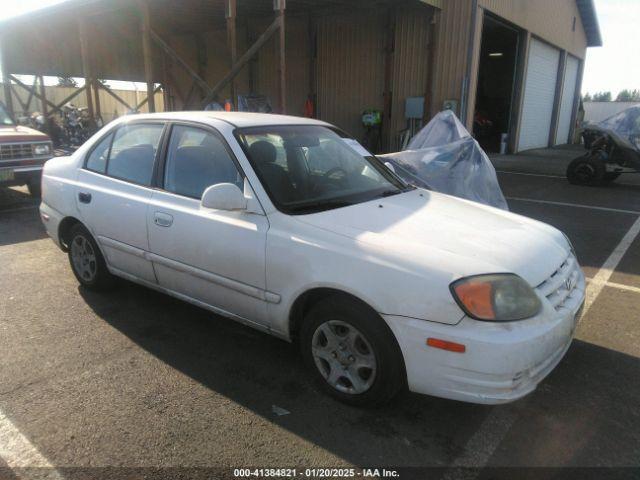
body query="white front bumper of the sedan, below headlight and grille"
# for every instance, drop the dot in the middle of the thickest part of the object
(502, 362)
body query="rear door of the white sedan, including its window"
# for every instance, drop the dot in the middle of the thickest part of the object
(114, 189)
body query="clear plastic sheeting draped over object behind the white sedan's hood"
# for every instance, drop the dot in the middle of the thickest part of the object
(444, 157)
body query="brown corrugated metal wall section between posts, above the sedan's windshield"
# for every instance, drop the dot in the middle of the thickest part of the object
(350, 68)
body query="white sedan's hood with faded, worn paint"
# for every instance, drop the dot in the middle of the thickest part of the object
(420, 226)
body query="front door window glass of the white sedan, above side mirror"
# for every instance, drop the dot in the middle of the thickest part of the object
(196, 160)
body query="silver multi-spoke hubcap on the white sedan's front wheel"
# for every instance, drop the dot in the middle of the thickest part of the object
(344, 357)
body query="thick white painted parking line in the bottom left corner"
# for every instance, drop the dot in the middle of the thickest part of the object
(19, 453)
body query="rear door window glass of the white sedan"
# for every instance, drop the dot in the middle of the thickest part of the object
(133, 152)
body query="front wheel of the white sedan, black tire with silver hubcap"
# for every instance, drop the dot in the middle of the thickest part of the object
(346, 334)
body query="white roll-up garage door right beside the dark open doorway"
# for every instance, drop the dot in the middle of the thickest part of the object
(539, 95)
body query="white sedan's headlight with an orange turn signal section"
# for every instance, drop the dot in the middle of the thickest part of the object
(501, 297)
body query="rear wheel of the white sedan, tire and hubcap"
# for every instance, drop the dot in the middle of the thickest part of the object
(86, 260)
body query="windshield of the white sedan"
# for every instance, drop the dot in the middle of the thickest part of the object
(309, 168)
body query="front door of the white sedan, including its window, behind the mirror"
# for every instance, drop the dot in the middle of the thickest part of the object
(214, 257)
